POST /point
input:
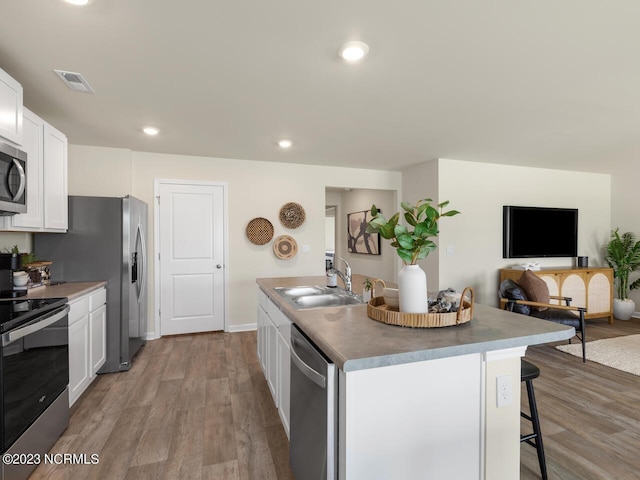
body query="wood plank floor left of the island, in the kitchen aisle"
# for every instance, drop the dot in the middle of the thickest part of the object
(191, 407)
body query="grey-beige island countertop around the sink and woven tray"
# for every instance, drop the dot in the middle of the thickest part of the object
(353, 341)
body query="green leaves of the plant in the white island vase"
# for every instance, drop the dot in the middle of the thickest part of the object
(411, 245)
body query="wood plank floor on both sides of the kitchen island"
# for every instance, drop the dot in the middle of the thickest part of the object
(198, 407)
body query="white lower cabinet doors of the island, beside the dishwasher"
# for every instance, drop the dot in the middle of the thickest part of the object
(273, 349)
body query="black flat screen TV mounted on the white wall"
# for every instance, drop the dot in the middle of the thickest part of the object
(529, 232)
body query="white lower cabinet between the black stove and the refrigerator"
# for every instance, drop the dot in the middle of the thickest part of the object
(87, 340)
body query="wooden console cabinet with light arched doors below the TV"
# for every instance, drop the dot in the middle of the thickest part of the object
(590, 287)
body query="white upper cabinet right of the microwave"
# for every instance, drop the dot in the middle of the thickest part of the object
(47, 205)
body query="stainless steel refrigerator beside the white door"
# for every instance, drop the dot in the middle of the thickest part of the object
(106, 241)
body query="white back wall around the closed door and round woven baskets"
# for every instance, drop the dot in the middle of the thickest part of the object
(255, 189)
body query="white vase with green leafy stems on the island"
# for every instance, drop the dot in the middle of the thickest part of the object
(412, 243)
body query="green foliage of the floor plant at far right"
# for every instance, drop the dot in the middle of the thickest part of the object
(623, 255)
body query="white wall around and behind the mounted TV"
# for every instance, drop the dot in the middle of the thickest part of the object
(479, 191)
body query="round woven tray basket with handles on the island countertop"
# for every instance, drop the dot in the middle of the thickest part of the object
(378, 310)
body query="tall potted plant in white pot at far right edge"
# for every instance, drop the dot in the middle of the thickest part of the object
(623, 255)
